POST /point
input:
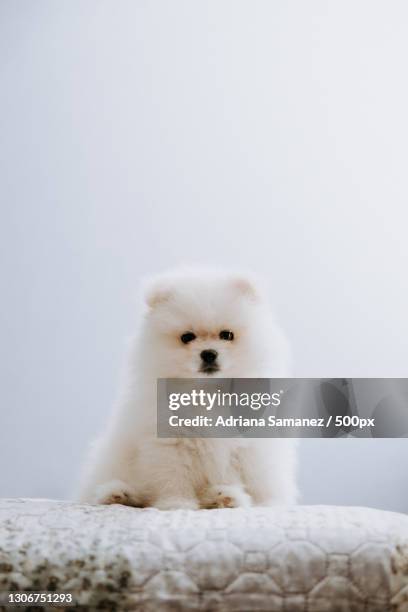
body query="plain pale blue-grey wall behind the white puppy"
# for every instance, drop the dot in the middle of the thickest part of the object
(138, 135)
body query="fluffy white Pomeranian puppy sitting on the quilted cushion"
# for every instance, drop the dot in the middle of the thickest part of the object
(197, 324)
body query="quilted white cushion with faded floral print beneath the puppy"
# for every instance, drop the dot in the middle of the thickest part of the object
(308, 558)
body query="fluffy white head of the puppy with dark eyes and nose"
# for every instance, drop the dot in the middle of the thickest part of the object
(206, 324)
